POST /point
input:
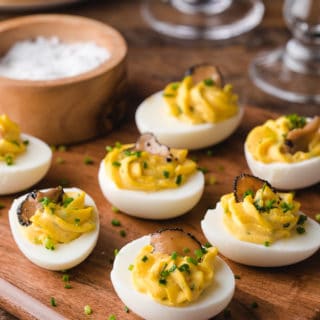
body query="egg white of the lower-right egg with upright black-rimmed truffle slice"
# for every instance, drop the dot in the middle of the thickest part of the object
(280, 253)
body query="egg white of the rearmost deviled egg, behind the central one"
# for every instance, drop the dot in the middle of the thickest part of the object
(151, 116)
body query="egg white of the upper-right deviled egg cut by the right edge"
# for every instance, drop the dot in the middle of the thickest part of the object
(286, 176)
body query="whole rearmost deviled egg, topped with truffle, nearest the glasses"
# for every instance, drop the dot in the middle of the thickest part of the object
(195, 113)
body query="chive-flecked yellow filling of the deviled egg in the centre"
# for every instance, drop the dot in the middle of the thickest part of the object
(141, 170)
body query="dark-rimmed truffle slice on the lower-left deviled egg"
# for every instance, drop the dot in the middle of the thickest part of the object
(33, 202)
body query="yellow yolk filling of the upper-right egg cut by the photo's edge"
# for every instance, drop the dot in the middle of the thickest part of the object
(266, 143)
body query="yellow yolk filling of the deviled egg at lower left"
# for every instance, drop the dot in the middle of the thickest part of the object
(60, 223)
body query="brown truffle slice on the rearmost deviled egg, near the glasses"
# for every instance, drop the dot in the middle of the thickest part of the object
(205, 71)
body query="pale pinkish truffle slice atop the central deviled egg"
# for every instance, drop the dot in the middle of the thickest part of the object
(148, 142)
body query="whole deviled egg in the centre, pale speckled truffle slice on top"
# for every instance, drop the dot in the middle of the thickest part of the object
(150, 180)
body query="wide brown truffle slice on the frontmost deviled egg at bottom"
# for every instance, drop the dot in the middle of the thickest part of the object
(172, 240)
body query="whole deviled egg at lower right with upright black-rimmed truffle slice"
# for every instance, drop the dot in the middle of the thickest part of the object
(256, 225)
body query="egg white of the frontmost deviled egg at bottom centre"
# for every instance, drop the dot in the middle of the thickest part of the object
(213, 300)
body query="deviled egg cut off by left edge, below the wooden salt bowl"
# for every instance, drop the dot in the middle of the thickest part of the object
(24, 159)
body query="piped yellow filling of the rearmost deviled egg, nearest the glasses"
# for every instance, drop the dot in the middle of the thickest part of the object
(203, 102)
